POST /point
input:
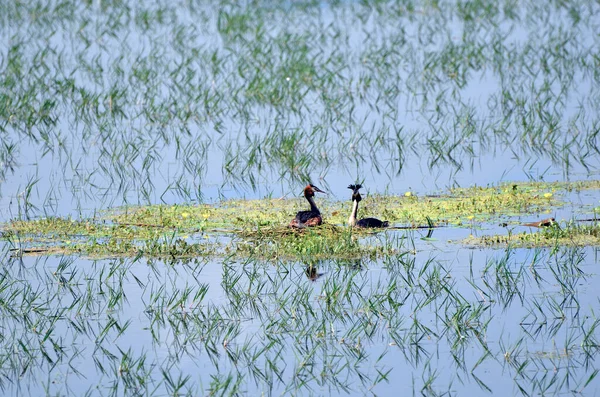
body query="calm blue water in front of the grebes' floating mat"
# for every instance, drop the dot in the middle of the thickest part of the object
(412, 343)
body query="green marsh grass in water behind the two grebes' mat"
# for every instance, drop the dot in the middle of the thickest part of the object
(135, 112)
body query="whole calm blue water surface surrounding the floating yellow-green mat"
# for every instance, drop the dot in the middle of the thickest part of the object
(110, 103)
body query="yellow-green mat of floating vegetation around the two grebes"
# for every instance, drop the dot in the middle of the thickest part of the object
(245, 228)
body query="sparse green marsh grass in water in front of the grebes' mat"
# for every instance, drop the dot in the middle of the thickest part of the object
(284, 325)
